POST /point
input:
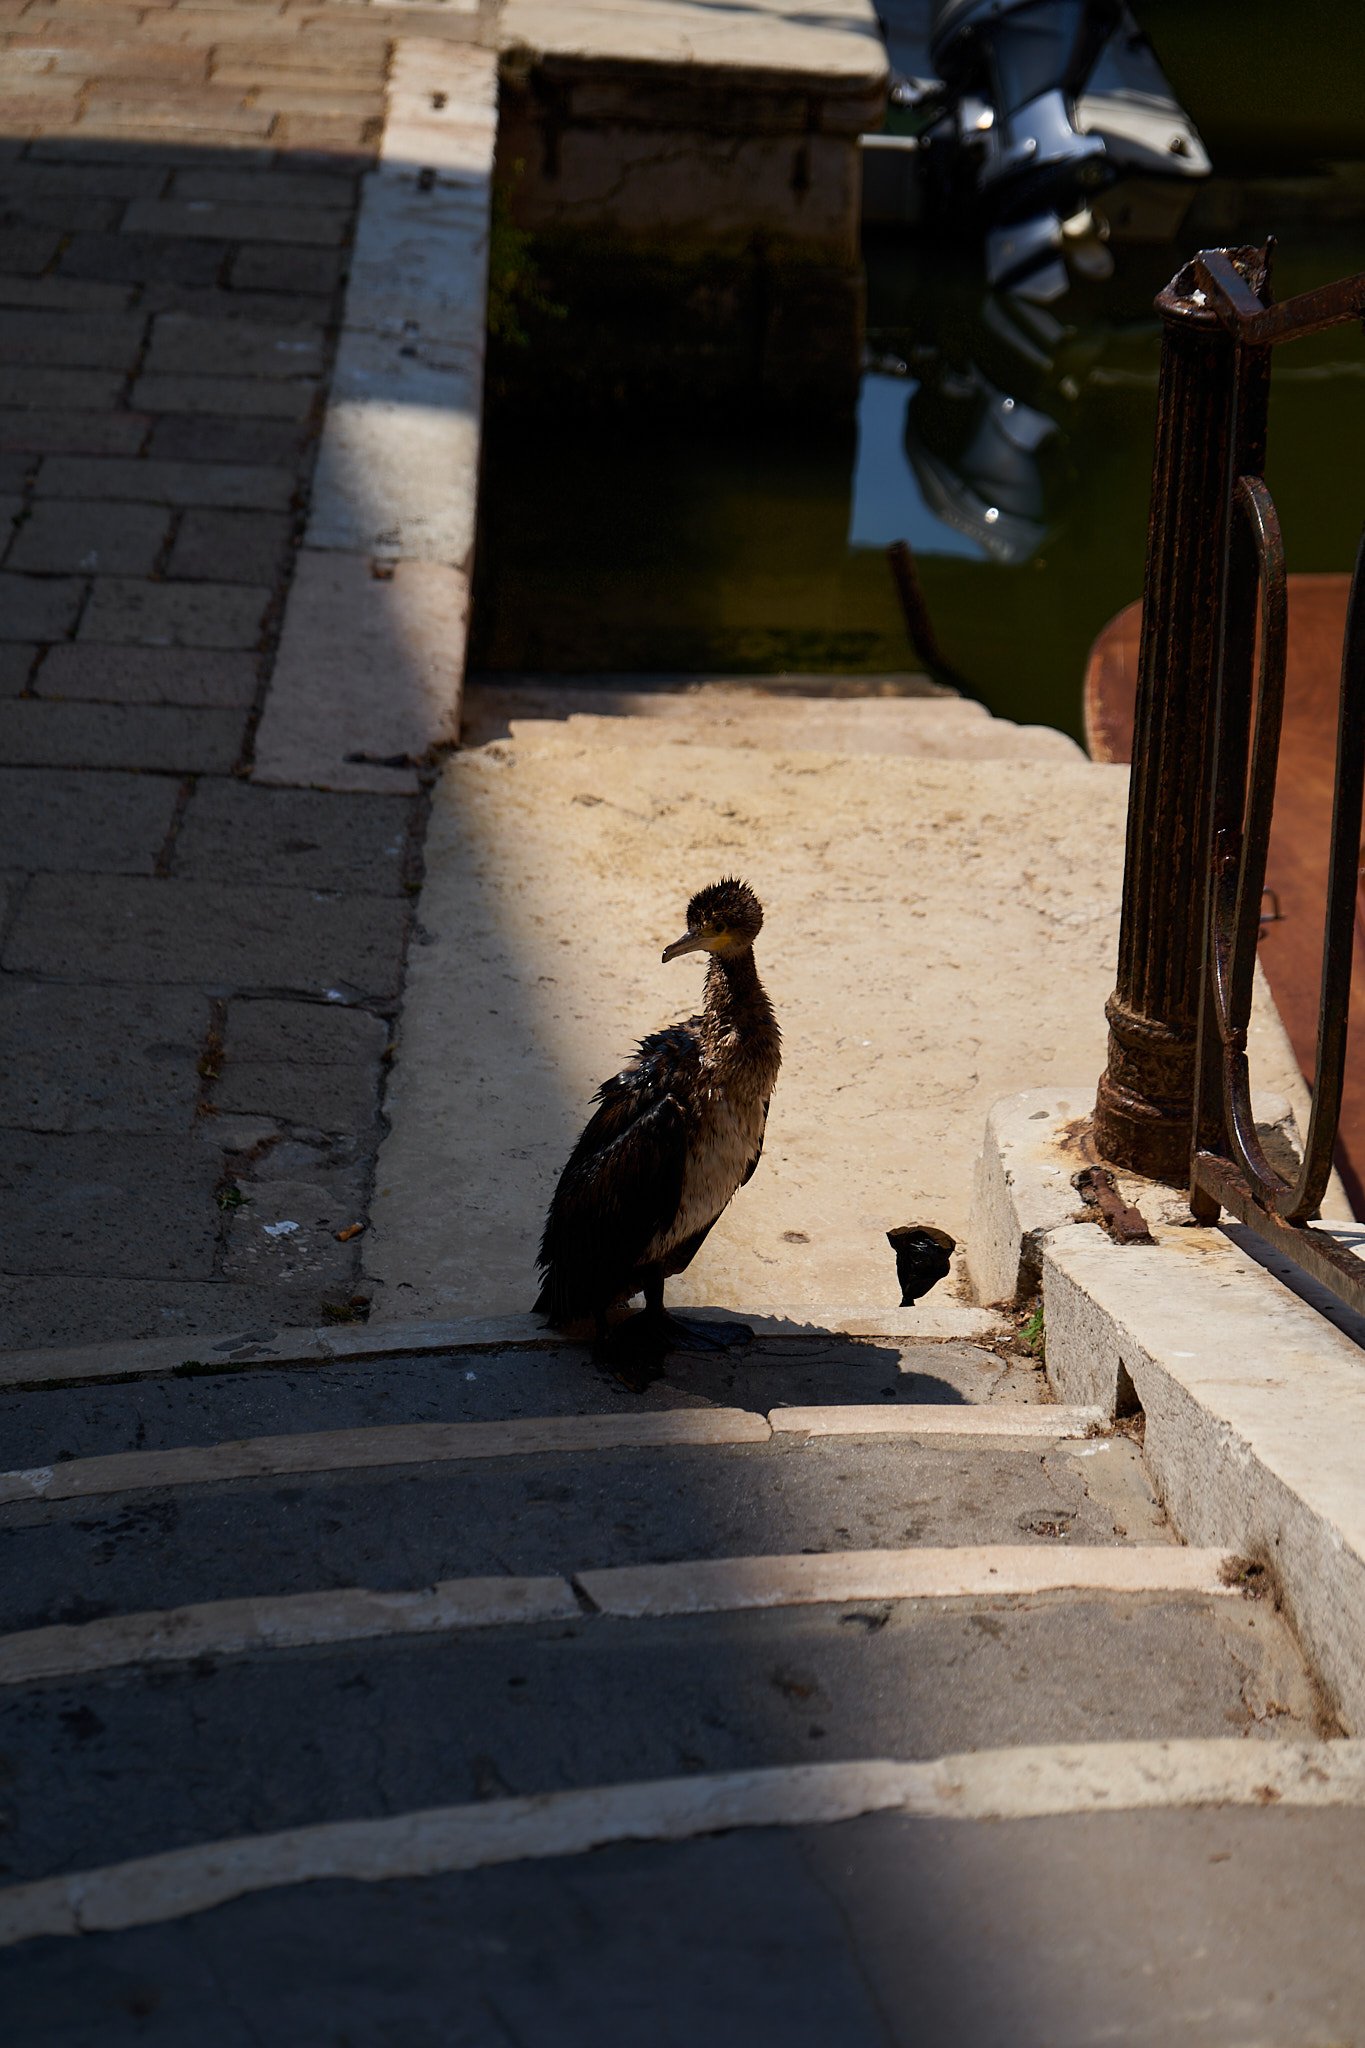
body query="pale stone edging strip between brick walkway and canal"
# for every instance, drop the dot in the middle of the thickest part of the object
(371, 665)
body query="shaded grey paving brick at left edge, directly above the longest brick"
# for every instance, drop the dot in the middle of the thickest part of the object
(71, 824)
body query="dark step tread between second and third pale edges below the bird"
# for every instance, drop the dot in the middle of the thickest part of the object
(564, 1512)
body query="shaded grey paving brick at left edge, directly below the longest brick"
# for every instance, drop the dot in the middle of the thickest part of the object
(99, 1060)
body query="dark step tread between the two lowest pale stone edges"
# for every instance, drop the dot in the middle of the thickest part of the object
(300, 1738)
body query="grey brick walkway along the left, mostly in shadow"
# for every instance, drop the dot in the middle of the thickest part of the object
(197, 976)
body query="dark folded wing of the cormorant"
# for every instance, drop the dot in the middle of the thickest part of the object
(623, 1181)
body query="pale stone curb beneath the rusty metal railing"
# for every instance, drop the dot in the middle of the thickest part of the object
(1253, 1402)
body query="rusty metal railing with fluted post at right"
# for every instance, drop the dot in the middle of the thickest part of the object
(1176, 1097)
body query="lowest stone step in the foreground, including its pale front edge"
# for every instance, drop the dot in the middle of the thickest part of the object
(734, 1914)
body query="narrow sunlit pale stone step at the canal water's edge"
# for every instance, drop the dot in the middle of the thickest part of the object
(732, 714)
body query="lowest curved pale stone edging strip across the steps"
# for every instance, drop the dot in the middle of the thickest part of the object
(994, 1785)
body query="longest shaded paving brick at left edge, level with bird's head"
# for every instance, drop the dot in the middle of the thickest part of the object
(208, 935)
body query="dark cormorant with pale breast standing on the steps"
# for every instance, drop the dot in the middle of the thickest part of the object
(676, 1134)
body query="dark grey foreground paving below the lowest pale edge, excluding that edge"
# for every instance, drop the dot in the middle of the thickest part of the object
(881, 1932)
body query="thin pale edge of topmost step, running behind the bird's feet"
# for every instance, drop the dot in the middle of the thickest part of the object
(363, 1342)
